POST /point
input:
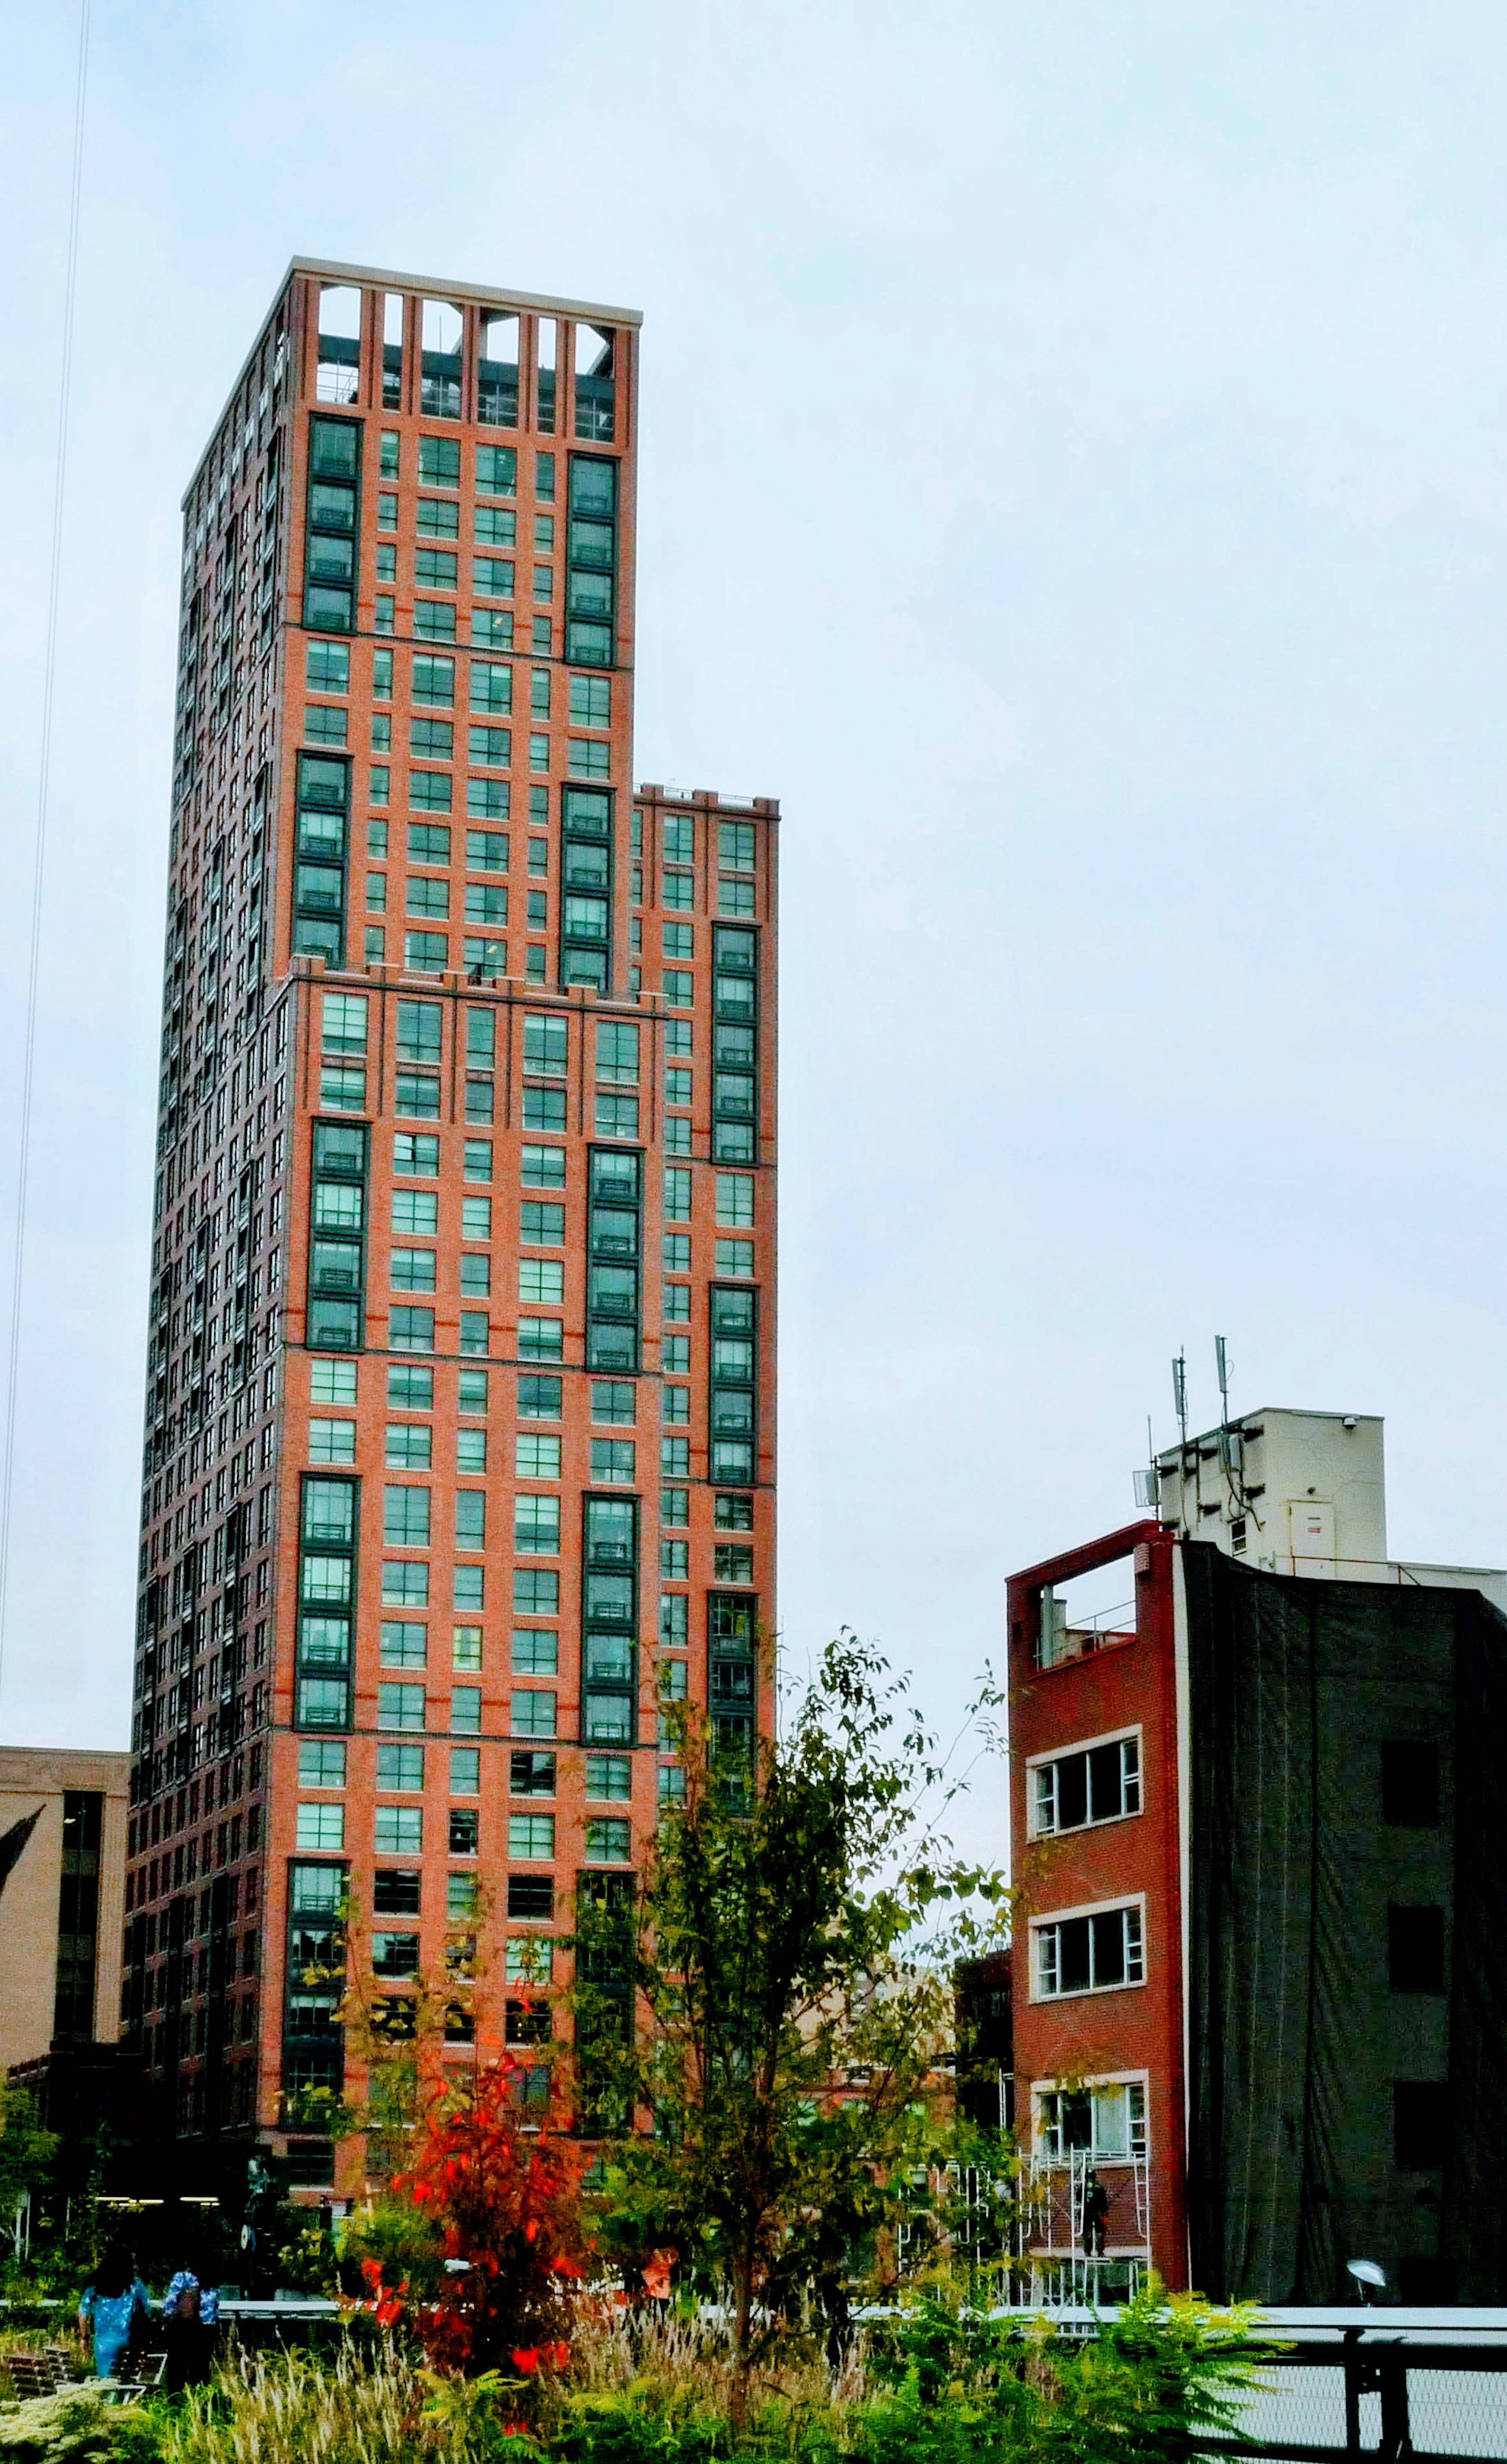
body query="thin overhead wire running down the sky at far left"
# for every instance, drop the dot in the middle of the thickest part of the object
(41, 841)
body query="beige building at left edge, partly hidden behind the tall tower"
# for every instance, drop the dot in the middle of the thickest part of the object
(63, 1899)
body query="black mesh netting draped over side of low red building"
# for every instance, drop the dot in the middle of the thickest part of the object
(1304, 2056)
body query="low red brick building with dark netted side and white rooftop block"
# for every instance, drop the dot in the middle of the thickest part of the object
(1262, 1958)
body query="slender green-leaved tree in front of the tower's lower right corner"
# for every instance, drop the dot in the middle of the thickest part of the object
(795, 2009)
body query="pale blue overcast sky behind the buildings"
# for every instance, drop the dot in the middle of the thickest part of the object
(1072, 484)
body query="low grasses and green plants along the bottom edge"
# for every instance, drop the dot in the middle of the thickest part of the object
(958, 2389)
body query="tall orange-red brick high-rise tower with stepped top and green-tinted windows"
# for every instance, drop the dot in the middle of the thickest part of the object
(460, 1430)
